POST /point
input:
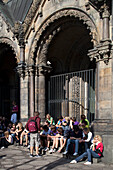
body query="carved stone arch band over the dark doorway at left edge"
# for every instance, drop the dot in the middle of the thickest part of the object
(11, 44)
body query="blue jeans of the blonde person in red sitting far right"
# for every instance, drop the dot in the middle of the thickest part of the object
(89, 153)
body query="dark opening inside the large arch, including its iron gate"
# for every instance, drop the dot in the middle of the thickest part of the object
(71, 81)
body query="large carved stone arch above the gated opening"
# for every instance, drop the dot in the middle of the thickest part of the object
(71, 12)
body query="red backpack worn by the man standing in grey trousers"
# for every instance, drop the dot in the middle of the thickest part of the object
(32, 126)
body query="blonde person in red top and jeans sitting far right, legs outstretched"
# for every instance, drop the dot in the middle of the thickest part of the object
(96, 151)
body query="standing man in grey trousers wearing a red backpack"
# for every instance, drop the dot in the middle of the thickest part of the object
(33, 126)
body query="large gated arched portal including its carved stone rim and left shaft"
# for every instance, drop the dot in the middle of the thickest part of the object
(64, 39)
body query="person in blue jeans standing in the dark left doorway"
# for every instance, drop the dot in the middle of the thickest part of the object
(14, 112)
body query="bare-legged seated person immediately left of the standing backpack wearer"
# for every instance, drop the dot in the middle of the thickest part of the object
(25, 133)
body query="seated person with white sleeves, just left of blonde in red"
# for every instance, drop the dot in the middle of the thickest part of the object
(87, 138)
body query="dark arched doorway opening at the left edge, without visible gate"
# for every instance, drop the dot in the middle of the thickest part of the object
(9, 81)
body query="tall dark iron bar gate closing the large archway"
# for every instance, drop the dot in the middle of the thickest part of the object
(72, 94)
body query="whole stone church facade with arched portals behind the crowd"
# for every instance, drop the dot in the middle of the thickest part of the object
(56, 57)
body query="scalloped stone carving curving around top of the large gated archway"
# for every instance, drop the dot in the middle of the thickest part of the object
(65, 12)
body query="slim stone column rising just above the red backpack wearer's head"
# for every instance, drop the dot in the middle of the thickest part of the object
(31, 73)
